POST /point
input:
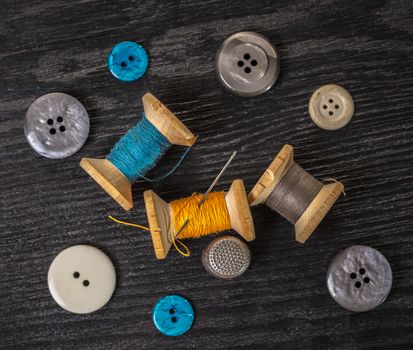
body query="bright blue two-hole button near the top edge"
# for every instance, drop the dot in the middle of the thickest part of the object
(128, 61)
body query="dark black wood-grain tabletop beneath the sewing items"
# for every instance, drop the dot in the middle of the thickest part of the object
(282, 301)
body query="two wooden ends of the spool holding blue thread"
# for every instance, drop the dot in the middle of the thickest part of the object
(110, 178)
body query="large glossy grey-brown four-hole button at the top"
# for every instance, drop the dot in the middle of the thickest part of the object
(247, 64)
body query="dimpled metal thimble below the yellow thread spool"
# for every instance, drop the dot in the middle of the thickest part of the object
(226, 257)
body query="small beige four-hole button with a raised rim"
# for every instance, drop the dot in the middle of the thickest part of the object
(331, 107)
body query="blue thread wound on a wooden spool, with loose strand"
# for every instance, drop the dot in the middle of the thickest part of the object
(139, 150)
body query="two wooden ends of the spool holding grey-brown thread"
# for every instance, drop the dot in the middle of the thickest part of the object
(314, 213)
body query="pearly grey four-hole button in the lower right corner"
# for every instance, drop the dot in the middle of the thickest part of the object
(359, 278)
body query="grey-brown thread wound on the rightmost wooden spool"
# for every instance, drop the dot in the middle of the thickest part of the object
(294, 193)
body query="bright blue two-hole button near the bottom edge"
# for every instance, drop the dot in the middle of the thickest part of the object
(173, 315)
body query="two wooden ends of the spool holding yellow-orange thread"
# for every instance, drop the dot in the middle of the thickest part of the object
(161, 221)
